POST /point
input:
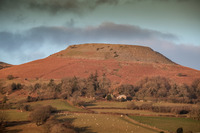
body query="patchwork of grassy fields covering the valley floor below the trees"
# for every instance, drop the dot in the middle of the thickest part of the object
(92, 119)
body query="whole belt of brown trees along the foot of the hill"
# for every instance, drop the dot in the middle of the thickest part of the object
(98, 87)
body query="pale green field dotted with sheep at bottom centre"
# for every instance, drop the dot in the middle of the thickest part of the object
(100, 123)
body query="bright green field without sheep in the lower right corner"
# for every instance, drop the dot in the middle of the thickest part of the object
(169, 123)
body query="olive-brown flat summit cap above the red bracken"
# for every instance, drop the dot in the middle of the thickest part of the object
(114, 51)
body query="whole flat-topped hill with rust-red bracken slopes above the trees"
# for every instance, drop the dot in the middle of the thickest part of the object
(120, 63)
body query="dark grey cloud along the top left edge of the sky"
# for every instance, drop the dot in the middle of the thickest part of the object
(54, 6)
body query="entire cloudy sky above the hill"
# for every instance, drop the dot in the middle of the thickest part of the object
(34, 29)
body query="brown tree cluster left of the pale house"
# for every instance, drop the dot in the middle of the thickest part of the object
(93, 86)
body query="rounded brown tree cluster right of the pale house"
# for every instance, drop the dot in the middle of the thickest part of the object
(160, 88)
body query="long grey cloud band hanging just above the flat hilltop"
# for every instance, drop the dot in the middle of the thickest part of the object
(61, 35)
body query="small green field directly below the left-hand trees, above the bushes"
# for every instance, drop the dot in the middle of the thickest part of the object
(60, 104)
